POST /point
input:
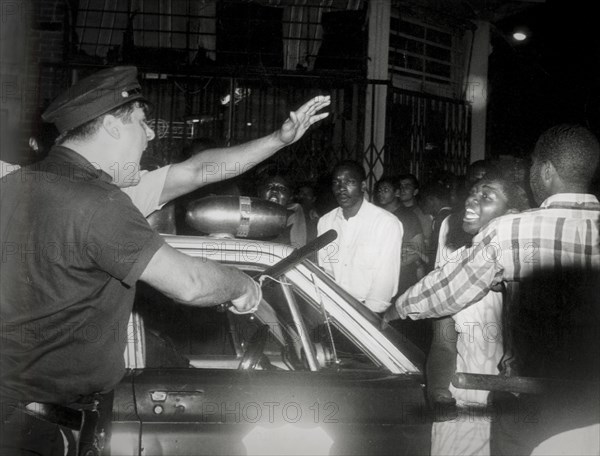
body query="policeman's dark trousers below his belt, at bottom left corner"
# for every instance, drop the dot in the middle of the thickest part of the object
(22, 434)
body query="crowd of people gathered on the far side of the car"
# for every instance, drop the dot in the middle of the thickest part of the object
(412, 251)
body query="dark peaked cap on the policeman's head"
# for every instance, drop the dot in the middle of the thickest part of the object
(93, 96)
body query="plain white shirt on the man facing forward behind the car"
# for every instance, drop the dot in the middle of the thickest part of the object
(365, 257)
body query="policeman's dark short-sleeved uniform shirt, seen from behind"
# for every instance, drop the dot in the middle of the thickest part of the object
(73, 247)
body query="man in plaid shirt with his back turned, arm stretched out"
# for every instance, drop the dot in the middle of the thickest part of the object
(553, 255)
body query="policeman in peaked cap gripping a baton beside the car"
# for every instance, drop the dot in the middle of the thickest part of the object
(73, 248)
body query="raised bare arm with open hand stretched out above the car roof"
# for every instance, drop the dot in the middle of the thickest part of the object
(215, 165)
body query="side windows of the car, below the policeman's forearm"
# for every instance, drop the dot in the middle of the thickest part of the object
(291, 322)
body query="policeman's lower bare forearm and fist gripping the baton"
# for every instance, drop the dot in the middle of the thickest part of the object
(199, 281)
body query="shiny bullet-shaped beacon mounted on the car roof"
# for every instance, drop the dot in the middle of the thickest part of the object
(240, 216)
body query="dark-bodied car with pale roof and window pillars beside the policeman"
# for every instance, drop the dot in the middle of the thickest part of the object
(310, 372)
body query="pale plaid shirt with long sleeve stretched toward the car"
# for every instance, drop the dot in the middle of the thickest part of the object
(562, 233)
